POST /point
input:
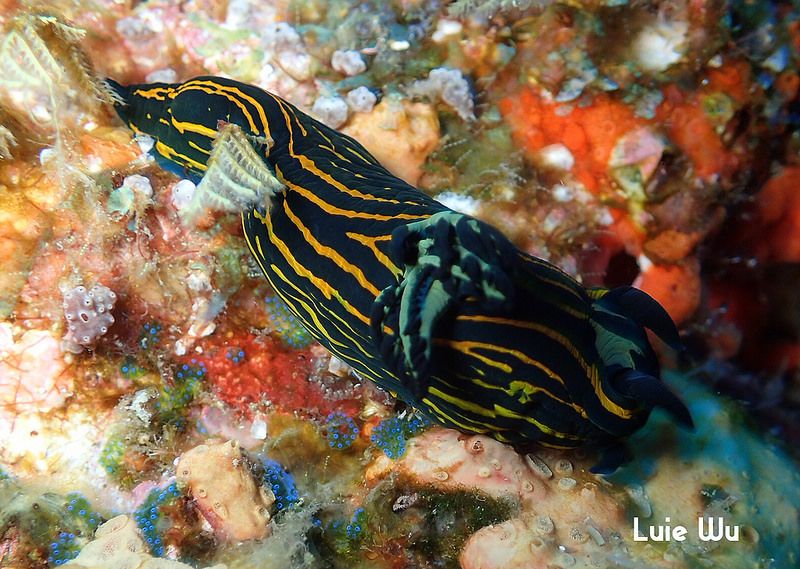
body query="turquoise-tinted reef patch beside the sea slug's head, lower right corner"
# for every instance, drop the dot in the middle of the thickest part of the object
(752, 482)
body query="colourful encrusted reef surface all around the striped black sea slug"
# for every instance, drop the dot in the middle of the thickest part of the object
(161, 407)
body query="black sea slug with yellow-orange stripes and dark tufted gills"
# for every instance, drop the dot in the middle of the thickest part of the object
(435, 306)
